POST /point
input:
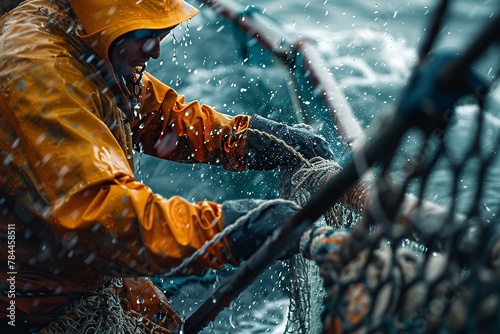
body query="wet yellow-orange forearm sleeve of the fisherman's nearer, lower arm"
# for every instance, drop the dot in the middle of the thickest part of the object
(131, 230)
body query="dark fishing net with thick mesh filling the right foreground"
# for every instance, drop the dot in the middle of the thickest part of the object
(413, 247)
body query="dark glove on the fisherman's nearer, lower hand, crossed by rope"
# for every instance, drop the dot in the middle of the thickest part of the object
(251, 232)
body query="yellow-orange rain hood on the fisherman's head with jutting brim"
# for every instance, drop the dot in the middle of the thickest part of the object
(105, 20)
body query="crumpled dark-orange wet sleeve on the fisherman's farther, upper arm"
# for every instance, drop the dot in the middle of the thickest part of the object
(172, 129)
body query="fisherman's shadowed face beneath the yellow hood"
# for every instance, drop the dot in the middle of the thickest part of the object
(131, 51)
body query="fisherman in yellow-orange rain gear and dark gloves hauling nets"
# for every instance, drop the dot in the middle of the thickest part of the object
(76, 226)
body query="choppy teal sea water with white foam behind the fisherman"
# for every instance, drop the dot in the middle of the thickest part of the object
(369, 46)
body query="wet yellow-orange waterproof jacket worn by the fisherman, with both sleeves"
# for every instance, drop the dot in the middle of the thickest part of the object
(67, 180)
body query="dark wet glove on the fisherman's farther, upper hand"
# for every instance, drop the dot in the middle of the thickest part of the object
(263, 153)
